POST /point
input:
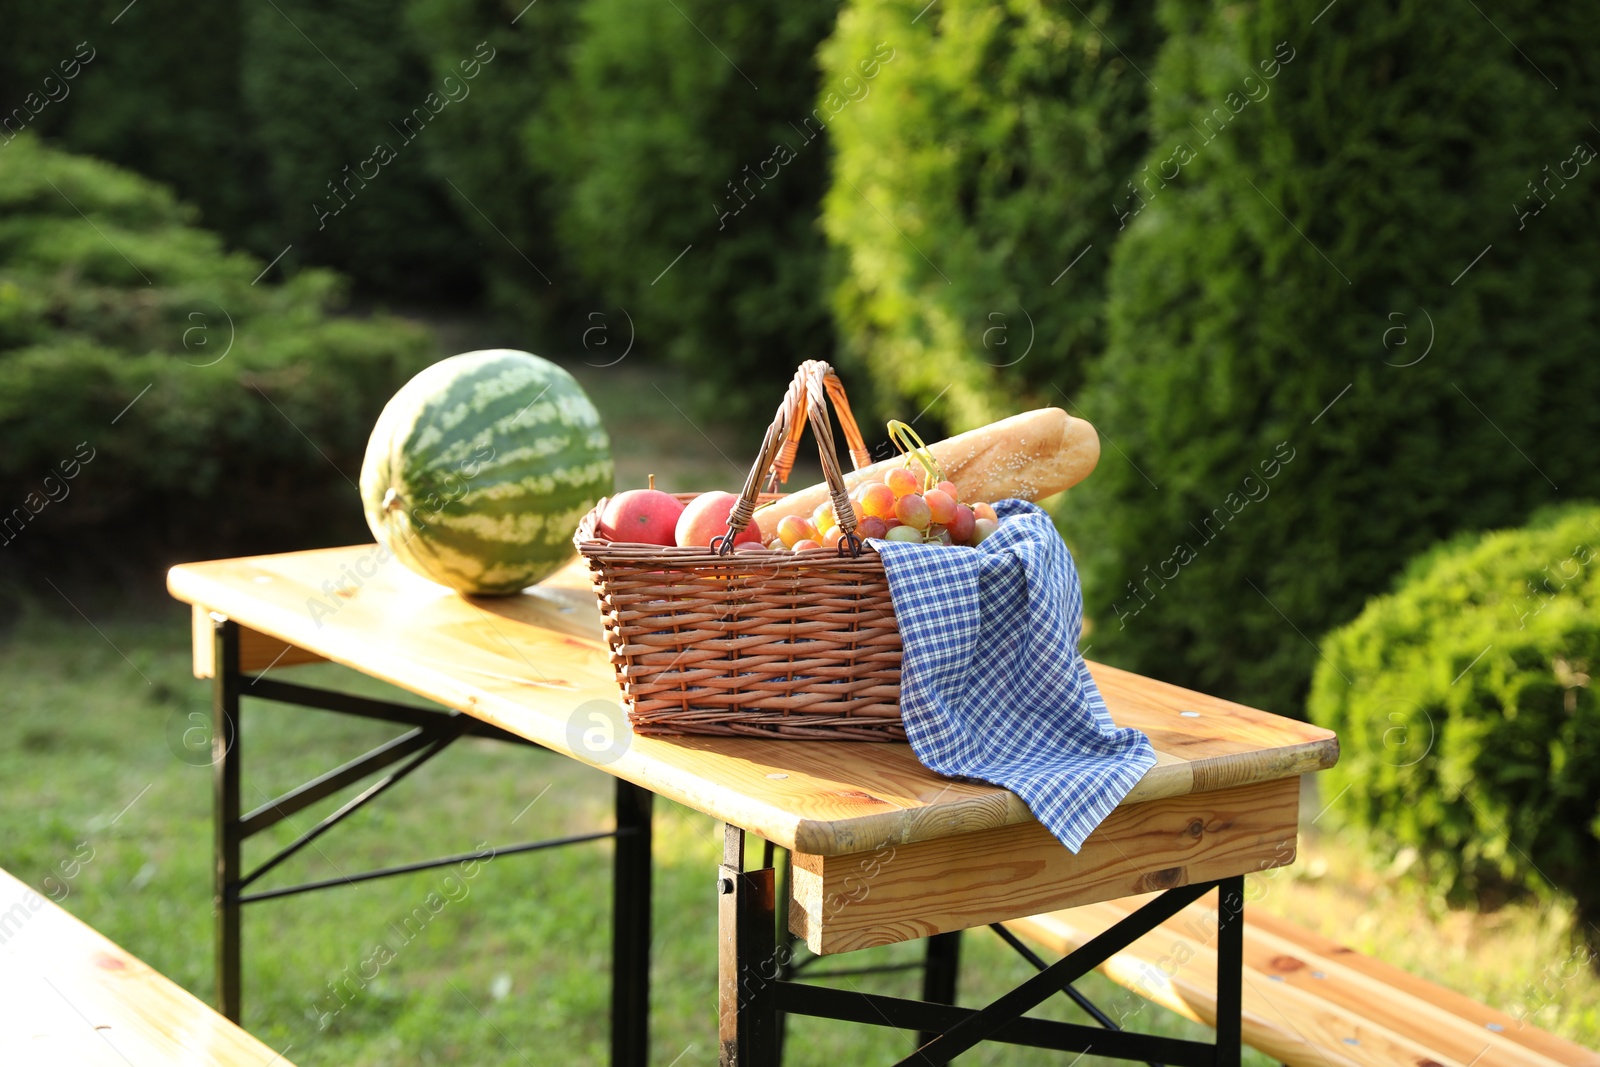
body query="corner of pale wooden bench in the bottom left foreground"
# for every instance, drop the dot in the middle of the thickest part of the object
(71, 996)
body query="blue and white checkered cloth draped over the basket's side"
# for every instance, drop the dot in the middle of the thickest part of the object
(993, 685)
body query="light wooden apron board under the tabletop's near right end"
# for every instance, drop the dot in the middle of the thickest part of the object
(908, 892)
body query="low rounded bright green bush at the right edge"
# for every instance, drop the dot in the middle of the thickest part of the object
(1466, 717)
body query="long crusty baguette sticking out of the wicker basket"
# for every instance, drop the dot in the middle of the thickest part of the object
(1028, 457)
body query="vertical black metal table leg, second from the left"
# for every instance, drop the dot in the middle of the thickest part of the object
(631, 927)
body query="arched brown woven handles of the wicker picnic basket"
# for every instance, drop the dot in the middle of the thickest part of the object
(806, 401)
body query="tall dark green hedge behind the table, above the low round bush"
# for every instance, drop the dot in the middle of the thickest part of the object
(1295, 241)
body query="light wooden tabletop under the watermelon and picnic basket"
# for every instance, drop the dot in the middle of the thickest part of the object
(527, 665)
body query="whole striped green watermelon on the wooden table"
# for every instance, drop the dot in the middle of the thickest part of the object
(481, 468)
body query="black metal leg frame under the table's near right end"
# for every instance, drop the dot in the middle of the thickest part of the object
(756, 988)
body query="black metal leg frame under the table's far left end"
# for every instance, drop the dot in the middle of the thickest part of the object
(430, 735)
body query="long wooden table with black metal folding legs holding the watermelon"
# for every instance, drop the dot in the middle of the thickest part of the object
(882, 849)
